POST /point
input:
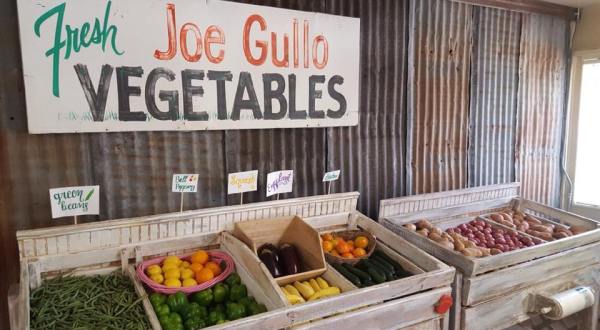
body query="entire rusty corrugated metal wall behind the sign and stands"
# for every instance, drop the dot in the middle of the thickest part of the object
(445, 69)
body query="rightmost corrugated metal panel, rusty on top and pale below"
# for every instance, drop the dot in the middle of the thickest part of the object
(543, 69)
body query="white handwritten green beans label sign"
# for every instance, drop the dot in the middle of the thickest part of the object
(71, 201)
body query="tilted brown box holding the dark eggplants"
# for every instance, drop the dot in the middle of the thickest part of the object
(291, 230)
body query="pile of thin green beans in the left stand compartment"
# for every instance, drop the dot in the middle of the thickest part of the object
(87, 302)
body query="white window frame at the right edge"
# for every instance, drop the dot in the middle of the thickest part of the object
(578, 60)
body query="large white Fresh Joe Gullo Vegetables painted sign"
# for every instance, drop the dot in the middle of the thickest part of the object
(139, 65)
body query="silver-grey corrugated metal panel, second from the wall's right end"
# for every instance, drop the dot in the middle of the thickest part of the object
(494, 86)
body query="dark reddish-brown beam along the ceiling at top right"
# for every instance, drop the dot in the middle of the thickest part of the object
(528, 6)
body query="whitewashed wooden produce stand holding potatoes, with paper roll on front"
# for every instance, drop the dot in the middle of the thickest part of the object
(497, 291)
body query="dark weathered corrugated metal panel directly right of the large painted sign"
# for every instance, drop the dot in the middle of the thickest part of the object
(371, 156)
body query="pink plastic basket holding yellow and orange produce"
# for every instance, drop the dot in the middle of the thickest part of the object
(214, 255)
